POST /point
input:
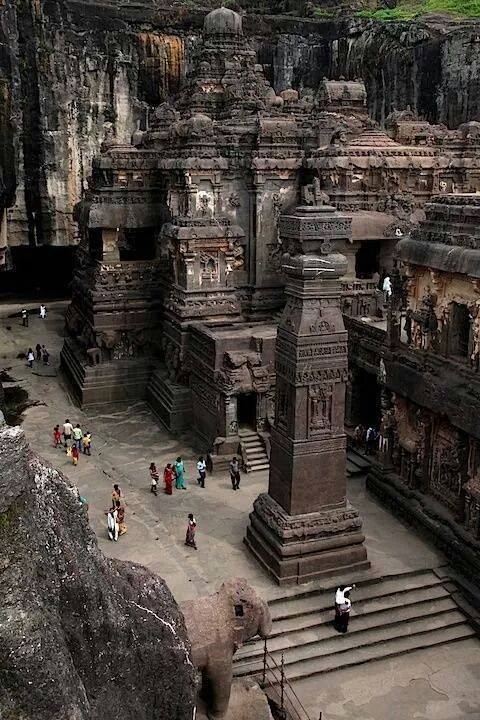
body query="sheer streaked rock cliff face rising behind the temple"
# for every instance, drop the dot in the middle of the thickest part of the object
(74, 73)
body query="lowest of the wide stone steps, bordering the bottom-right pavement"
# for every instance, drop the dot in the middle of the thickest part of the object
(333, 651)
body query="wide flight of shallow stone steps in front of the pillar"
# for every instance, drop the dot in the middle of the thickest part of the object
(390, 616)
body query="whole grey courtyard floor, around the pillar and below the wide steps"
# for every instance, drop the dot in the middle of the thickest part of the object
(439, 683)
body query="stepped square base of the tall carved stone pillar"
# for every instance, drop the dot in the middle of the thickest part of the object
(296, 549)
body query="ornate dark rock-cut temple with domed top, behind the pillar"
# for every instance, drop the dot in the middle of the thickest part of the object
(178, 283)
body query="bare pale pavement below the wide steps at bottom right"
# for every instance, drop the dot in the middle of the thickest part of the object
(440, 683)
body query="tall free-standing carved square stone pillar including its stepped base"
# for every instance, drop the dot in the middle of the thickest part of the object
(305, 527)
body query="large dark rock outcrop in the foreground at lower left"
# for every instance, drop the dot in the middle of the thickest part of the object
(81, 637)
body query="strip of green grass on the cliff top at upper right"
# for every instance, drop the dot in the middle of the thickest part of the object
(410, 9)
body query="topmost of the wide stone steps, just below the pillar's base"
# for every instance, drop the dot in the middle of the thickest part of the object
(290, 606)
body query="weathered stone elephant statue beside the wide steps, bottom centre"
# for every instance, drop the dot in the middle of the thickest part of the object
(217, 626)
